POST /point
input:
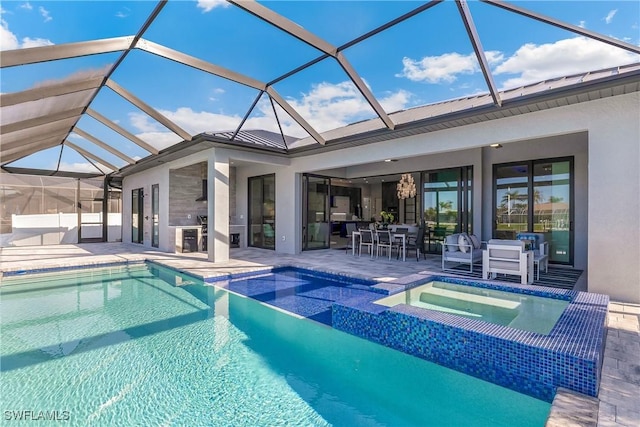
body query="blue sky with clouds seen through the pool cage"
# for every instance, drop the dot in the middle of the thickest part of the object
(425, 59)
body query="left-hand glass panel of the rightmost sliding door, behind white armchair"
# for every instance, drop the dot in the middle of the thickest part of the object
(512, 200)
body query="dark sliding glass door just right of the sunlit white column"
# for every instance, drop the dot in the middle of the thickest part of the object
(262, 211)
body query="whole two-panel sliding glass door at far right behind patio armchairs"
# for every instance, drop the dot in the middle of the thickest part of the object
(547, 186)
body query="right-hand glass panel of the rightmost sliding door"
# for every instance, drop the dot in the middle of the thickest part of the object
(552, 208)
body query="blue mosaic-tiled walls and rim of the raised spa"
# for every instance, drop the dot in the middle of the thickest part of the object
(569, 355)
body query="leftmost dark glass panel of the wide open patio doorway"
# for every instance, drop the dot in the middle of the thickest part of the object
(316, 212)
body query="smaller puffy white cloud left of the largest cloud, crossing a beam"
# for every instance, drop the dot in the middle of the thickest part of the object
(444, 68)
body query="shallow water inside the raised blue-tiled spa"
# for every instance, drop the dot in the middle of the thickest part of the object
(520, 311)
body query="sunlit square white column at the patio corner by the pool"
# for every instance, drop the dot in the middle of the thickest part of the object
(218, 206)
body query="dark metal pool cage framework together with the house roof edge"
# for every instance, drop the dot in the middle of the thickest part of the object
(46, 115)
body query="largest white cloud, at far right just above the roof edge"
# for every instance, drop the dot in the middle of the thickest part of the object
(532, 63)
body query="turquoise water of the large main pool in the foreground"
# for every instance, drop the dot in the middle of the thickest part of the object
(126, 346)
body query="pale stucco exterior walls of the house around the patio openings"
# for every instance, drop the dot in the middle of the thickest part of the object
(607, 173)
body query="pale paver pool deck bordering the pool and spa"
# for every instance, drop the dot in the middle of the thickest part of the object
(619, 395)
